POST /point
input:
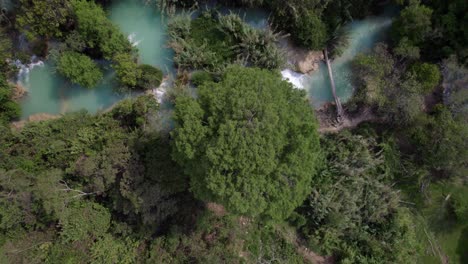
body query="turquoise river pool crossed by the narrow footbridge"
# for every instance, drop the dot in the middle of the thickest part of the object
(363, 36)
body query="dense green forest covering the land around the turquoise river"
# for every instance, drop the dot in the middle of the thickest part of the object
(244, 173)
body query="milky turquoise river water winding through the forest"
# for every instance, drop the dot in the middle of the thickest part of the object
(146, 29)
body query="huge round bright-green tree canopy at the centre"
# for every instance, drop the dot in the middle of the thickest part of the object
(249, 142)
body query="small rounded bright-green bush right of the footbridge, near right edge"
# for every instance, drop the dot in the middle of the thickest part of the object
(427, 74)
